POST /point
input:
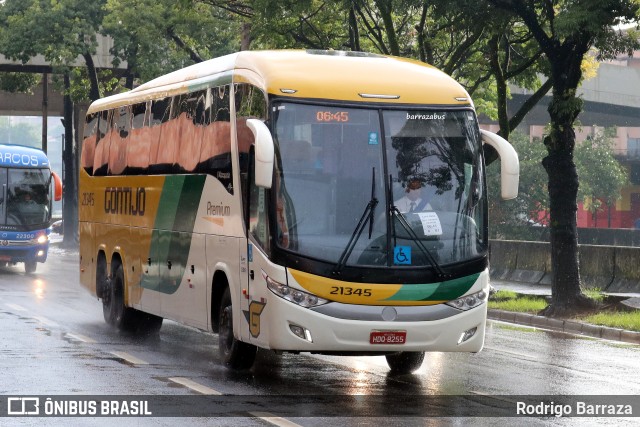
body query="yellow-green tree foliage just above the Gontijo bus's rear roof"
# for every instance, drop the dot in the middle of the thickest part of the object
(158, 36)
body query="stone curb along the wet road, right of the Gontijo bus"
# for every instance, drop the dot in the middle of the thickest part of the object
(568, 326)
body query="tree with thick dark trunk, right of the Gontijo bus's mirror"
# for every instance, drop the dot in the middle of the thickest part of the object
(566, 31)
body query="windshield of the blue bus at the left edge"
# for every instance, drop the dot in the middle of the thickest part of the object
(25, 198)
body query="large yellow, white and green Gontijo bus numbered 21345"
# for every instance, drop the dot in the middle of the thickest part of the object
(299, 201)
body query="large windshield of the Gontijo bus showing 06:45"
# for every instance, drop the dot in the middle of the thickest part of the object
(396, 187)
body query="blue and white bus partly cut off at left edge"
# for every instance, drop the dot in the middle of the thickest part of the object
(28, 187)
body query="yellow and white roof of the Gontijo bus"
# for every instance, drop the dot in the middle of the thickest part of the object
(335, 75)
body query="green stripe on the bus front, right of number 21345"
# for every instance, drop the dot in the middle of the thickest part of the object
(443, 291)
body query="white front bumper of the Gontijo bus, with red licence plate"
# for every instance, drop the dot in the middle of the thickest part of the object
(289, 327)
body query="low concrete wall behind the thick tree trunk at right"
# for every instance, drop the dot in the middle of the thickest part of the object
(615, 269)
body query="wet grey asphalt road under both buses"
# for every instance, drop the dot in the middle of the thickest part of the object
(53, 341)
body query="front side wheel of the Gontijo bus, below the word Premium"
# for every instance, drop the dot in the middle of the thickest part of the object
(235, 354)
